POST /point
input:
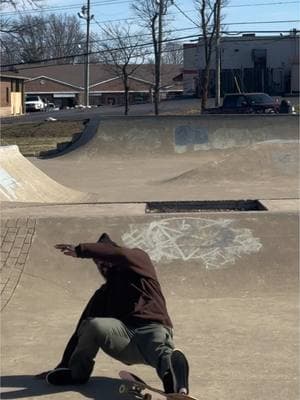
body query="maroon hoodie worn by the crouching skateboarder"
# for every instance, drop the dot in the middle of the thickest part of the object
(132, 292)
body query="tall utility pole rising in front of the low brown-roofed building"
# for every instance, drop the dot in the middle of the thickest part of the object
(85, 14)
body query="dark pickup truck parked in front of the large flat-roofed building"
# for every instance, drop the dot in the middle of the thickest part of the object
(250, 103)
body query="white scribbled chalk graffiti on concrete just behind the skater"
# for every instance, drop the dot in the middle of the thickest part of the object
(215, 243)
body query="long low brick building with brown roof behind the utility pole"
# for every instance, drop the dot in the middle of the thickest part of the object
(63, 85)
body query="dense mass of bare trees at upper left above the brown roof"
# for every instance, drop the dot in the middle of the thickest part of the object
(38, 38)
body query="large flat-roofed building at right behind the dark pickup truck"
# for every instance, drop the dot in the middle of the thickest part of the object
(250, 63)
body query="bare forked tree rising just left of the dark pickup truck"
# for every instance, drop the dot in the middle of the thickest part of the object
(210, 17)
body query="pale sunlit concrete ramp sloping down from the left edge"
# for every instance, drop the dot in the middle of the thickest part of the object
(21, 181)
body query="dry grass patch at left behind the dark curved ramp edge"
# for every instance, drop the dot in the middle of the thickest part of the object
(37, 137)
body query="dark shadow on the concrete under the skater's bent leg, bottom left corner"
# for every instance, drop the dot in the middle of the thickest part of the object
(27, 386)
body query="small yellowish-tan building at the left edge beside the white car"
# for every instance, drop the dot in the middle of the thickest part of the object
(11, 94)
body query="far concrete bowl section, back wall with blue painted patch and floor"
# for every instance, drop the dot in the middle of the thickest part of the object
(184, 158)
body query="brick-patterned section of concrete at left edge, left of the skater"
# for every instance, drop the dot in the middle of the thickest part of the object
(16, 239)
